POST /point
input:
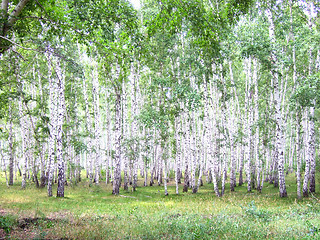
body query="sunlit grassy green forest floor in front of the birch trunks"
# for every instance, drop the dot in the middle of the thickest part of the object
(94, 213)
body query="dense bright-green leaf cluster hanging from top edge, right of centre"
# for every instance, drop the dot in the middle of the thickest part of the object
(206, 22)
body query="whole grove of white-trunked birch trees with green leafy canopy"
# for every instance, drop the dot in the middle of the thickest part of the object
(226, 91)
